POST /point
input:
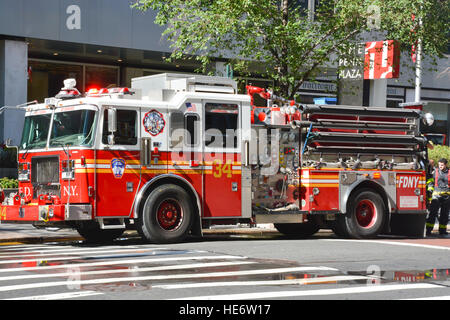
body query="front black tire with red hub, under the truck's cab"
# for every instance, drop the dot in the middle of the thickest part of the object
(167, 215)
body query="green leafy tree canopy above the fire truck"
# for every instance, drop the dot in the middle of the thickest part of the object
(283, 41)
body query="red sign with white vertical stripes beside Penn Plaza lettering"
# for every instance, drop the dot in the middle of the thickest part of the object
(382, 60)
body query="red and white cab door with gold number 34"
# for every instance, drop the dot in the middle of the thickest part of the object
(222, 184)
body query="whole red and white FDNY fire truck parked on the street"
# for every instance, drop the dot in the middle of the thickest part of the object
(175, 154)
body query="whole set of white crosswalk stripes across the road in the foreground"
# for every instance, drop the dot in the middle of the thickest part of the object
(183, 269)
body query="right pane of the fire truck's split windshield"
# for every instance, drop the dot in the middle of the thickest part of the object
(73, 128)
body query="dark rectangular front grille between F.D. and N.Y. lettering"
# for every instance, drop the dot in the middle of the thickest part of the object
(45, 176)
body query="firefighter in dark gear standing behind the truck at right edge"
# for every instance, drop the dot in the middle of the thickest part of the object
(440, 199)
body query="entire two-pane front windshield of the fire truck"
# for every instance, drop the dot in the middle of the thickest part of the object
(73, 128)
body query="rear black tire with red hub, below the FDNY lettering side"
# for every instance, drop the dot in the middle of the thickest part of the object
(365, 217)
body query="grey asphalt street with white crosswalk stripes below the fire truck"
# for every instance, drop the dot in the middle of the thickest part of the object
(234, 267)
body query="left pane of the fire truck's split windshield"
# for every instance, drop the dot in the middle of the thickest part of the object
(35, 131)
